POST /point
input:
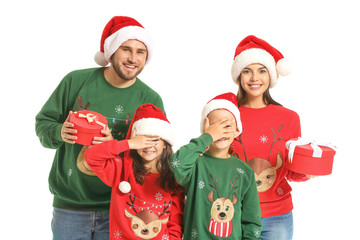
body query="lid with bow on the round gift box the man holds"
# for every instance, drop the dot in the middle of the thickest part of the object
(88, 121)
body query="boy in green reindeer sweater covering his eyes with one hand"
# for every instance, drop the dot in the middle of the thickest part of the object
(222, 200)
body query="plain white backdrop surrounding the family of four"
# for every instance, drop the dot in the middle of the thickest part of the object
(195, 43)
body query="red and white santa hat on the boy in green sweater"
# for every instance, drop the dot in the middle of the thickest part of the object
(227, 101)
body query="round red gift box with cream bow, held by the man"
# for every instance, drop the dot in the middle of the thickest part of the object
(88, 125)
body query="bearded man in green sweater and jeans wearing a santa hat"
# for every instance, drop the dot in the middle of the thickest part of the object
(81, 200)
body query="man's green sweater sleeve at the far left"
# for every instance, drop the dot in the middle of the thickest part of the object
(49, 120)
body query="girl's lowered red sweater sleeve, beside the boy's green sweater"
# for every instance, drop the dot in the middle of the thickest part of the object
(175, 224)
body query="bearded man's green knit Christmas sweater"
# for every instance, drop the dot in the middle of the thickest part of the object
(86, 89)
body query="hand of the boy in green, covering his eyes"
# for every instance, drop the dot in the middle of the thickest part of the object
(223, 128)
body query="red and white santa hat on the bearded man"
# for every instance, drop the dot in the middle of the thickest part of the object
(118, 30)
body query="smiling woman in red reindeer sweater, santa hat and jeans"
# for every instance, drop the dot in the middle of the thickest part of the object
(267, 127)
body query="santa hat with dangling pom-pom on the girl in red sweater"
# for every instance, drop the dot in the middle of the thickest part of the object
(148, 120)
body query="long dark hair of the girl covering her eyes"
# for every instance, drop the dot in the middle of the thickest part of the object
(166, 179)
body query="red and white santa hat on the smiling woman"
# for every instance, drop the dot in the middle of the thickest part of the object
(255, 50)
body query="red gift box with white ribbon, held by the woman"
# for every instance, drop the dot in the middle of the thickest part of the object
(310, 157)
